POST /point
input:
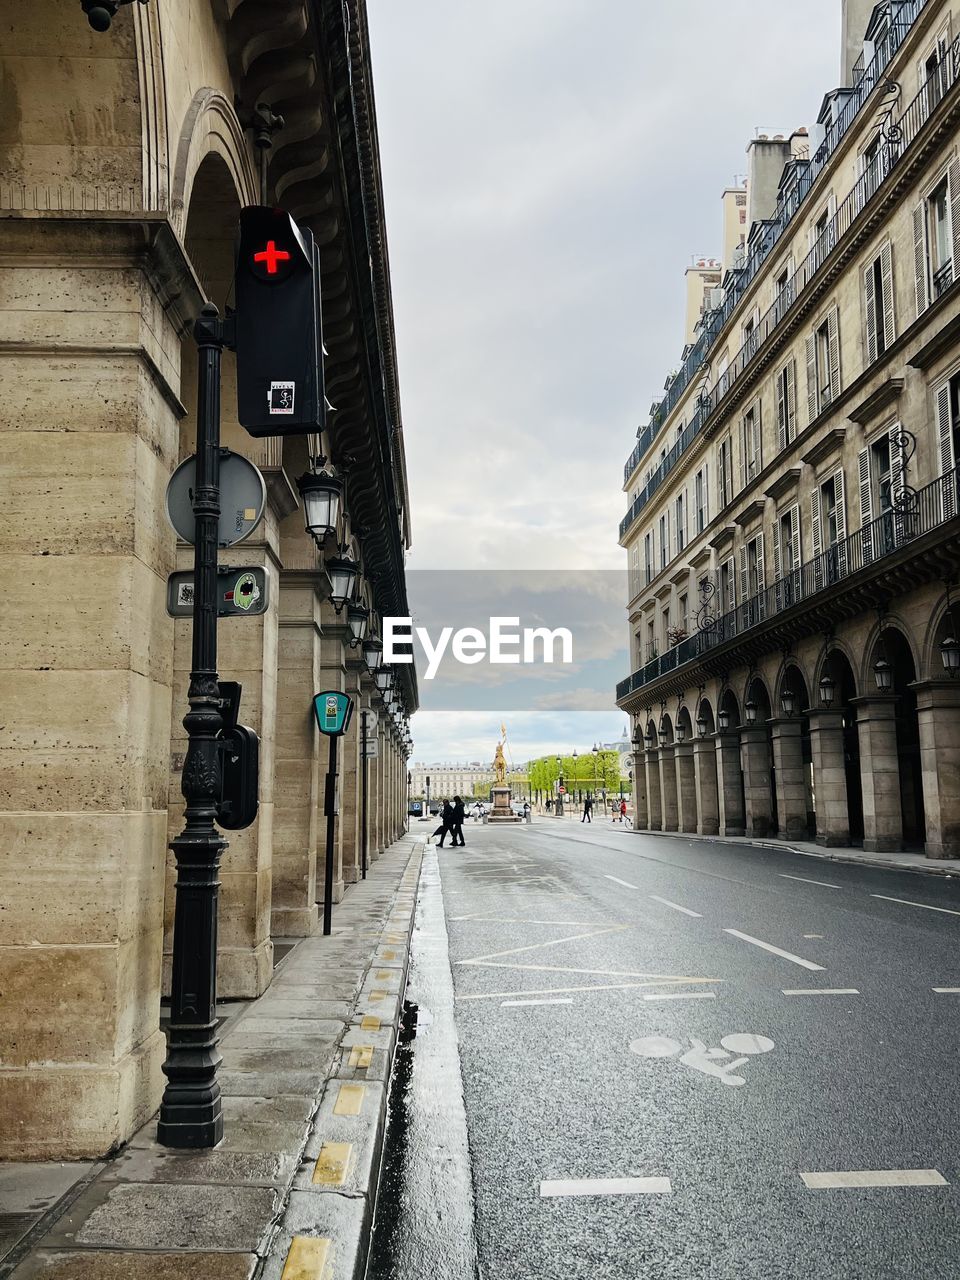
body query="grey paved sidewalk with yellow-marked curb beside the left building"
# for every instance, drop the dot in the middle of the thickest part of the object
(291, 1190)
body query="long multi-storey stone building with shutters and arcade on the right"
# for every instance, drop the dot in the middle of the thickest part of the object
(794, 552)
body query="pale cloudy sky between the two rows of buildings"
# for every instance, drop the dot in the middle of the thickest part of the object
(551, 167)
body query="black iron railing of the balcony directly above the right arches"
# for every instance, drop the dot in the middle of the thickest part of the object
(918, 514)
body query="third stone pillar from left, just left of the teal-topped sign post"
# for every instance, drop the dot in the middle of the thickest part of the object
(298, 796)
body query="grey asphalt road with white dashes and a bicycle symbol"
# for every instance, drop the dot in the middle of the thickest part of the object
(615, 1127)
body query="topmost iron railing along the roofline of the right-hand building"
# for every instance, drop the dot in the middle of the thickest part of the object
(903, 19)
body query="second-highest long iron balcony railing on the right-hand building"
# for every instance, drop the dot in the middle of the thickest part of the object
(895, 140)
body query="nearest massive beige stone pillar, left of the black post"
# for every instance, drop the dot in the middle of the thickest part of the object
(92, 317)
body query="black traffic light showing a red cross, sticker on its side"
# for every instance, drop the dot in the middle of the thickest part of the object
(280, 371)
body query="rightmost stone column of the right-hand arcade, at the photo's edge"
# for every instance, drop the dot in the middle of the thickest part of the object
(939, 714)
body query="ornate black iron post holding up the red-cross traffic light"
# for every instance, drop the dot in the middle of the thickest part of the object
(190, 1112)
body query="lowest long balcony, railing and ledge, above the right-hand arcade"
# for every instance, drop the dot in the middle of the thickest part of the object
(856, 563)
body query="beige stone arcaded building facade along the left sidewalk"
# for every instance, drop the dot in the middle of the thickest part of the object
(125, 159)
